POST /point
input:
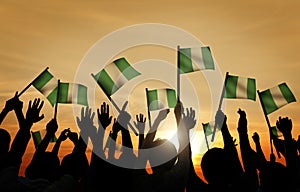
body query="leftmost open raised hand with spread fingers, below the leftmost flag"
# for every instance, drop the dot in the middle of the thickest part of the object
(33, 111)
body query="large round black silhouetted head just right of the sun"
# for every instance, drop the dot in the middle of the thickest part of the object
(216, 167)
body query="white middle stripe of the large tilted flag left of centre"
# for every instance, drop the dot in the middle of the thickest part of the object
(115, 74)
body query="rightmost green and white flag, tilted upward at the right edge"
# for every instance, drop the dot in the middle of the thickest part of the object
(276, 97)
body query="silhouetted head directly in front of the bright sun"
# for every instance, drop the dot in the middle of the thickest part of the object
(162, 150)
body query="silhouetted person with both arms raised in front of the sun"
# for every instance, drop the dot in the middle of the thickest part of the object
(170, 168)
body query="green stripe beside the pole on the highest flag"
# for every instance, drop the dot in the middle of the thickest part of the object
(185, 62)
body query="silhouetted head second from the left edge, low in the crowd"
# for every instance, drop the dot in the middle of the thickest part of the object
(45, 166)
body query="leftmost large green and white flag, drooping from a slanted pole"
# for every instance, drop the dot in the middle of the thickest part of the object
(46, 83)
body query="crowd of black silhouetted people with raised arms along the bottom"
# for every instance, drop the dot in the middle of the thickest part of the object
(222, 168)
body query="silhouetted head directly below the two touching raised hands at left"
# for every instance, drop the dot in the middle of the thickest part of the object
(76, 165)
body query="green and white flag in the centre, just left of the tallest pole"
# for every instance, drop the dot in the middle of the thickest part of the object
(161, 99)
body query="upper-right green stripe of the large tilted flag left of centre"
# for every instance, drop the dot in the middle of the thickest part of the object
(126, 69)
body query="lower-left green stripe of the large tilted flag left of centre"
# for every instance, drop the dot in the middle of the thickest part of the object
(105, 82)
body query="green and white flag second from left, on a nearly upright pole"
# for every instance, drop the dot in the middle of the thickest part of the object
(73, 93)
